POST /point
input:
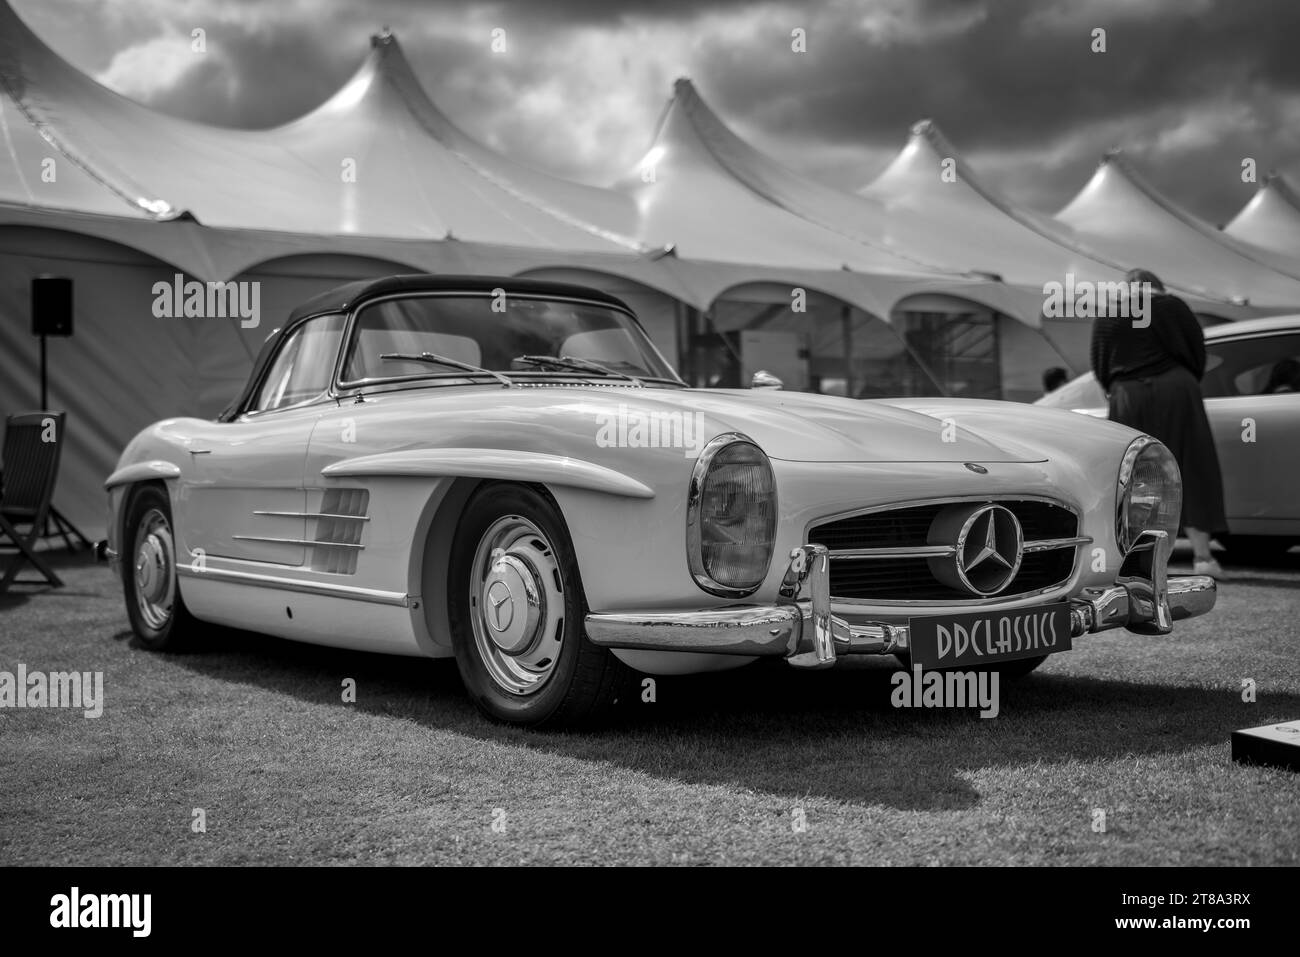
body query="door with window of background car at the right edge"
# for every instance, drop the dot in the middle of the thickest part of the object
(1253, 399)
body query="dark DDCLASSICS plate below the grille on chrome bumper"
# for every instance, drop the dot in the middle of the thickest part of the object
(989, 638)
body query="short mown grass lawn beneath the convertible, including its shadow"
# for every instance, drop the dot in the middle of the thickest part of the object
(255, 733)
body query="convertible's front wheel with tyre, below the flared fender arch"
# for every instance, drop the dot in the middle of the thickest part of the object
(517, 612)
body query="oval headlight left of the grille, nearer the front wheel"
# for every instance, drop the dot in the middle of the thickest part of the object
(731, 517)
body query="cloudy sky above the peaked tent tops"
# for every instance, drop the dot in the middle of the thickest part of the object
(1188, 88)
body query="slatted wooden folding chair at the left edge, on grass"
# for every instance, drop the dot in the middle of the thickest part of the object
(32, 445)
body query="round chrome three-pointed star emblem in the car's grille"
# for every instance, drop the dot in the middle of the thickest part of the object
(989, 545)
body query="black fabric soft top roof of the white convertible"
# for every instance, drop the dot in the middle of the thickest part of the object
(354, 295)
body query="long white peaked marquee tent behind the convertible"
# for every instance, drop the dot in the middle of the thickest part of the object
(378, 180)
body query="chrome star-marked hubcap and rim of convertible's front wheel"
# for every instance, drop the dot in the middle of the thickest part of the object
(518, 605)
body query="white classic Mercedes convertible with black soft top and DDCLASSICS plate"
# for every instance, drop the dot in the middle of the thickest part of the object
(508, 471)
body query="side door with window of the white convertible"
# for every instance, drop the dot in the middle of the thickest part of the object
(244, 496)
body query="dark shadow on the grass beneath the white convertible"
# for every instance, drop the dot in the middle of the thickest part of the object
(768, 728)
